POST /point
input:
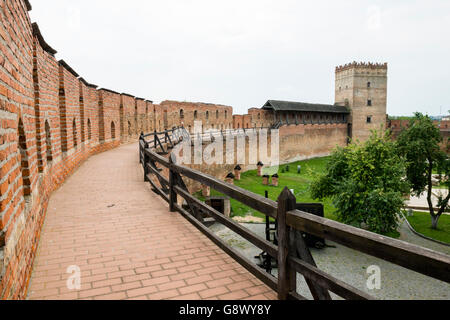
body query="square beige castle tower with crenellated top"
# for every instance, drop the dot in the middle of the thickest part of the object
(363, 88)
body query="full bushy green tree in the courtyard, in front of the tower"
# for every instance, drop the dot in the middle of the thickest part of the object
(366, 183)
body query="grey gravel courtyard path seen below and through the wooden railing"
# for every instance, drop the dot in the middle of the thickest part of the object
(351, 266)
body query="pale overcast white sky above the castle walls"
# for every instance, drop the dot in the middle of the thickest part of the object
(242, 53)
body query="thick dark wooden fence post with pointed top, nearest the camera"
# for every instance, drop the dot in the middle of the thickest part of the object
(287, 277)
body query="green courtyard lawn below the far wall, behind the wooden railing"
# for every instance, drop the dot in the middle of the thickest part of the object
(299, 182)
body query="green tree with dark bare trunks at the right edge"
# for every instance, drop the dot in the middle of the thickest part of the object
(421, 144)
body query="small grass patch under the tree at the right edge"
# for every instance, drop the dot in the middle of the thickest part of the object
(421, 222)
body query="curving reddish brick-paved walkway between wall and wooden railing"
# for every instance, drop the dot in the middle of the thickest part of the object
(108, 222)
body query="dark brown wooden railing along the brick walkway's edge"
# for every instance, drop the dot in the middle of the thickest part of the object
(292, 253)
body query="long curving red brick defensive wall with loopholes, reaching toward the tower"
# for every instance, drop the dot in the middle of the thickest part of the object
(52, 119)
